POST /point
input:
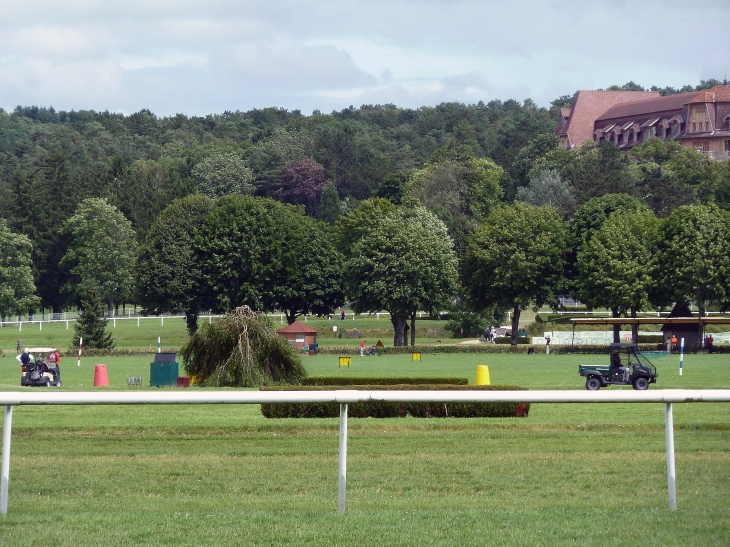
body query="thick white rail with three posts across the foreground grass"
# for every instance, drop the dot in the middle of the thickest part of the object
(344, 397)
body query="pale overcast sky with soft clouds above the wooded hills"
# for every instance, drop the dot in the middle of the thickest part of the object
(207, 56)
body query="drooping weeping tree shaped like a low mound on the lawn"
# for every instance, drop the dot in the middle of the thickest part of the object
(243, 350)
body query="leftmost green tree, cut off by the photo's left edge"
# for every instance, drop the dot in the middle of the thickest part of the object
(17, 291)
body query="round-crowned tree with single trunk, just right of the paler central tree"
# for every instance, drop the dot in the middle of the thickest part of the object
(516, 258)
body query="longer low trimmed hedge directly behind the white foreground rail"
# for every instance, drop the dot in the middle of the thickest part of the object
(387, 409)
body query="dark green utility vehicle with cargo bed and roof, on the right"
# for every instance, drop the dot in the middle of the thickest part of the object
(627, 366)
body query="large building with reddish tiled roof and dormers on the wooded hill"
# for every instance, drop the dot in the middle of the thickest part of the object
(699, 119)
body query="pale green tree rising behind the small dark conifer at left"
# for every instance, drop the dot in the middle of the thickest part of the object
(101, 254)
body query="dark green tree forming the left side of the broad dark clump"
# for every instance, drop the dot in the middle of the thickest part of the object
(169, 275)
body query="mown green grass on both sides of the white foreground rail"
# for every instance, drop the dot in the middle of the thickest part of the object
(224, 475)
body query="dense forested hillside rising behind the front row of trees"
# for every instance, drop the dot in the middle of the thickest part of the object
(458, 161)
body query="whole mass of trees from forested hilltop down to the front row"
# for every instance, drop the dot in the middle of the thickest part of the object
(277, 210)
